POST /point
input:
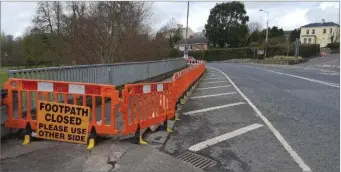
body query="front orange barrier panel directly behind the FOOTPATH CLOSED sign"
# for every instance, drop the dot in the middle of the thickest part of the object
(101, 98)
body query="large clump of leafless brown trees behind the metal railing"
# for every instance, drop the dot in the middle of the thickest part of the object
(94, 32)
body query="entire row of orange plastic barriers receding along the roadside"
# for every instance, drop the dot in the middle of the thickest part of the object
(142, 105)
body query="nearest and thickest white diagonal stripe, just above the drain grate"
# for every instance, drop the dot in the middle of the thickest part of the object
(223, 137)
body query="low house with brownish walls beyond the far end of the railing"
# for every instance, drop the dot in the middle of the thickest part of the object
(194, 43)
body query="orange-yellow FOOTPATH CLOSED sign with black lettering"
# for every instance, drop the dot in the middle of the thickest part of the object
(63, 122)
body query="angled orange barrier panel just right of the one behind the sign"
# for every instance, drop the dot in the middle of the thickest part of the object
(146, 104)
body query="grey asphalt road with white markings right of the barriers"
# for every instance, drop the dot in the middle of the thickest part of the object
(301, 102)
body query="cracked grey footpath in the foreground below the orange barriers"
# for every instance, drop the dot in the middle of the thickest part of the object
(109, 154)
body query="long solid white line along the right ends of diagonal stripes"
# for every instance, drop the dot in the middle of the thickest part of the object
(285, 144)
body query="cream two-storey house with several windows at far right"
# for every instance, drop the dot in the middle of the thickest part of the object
(320, 33)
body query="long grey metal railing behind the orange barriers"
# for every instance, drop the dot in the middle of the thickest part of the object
(115, 74)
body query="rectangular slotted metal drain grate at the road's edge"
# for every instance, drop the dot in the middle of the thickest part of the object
(197, 160)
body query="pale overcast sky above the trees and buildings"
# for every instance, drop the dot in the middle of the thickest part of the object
(16, 16)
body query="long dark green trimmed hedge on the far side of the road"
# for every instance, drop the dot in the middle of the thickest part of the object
(306, 50)
